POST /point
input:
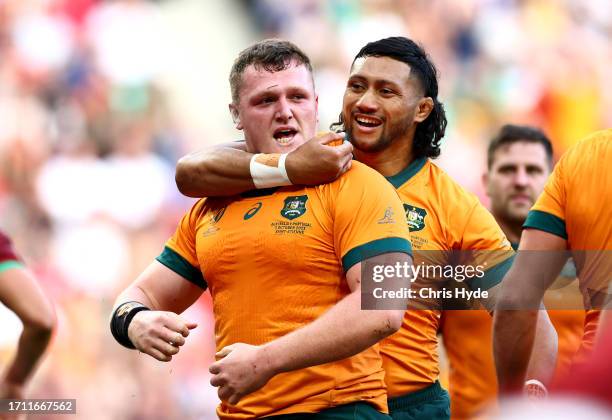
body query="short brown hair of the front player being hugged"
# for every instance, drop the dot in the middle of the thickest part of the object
(271, 55)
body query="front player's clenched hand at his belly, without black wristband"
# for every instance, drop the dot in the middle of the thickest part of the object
(240, 370)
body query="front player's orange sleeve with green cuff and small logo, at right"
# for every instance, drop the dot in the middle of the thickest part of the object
(368, 217)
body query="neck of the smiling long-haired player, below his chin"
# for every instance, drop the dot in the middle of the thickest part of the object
(390, 161)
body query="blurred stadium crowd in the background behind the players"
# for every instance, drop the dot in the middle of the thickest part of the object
(98, 99)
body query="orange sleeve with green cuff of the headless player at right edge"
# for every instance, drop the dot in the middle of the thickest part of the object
(548, 213)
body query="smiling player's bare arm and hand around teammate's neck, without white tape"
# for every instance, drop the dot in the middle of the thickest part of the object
(224, 170)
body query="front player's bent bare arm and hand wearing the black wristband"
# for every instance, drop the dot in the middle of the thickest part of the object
(167, 294)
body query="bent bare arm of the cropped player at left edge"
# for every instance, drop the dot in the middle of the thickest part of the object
(20, 292)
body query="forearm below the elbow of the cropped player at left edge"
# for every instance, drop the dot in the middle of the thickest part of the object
(32, 345)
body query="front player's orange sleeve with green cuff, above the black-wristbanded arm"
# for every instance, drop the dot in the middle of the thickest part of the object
(179, 253)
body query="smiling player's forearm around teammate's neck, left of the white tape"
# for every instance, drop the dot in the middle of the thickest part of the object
(214, 172)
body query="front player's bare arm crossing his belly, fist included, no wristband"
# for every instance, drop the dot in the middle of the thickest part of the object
(341, 332)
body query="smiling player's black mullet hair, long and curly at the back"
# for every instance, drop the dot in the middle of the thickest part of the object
(429, 133)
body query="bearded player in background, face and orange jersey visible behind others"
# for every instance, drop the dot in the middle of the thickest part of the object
(520, 158)
